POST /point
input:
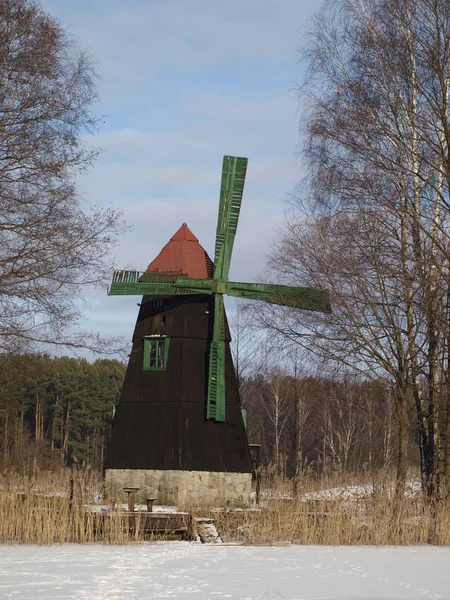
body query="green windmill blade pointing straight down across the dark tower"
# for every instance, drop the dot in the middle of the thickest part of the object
(215, 406)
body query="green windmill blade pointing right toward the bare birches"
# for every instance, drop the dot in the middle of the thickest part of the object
(299, 297)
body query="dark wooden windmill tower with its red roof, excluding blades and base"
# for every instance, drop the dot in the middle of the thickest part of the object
(161, 422)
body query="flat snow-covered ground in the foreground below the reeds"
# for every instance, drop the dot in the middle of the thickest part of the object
(183, 570)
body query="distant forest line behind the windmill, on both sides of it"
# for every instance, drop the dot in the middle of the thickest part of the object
(59, 411)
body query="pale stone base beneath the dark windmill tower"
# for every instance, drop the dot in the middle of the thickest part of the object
(183, 488)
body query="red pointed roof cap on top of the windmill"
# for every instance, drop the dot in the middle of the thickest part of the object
(183, 255)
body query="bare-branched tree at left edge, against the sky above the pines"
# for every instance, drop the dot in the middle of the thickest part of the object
(50, 245)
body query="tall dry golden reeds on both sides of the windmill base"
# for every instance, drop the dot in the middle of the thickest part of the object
(334, 510)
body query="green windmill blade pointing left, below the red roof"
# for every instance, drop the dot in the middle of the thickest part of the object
(140, 283)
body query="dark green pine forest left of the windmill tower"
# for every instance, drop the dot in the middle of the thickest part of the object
(56, 411)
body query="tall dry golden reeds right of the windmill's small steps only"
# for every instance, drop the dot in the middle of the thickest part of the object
(338, 509)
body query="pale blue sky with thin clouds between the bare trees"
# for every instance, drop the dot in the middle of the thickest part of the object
(182, 83)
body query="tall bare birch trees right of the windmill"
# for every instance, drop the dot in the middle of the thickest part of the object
(376, 228)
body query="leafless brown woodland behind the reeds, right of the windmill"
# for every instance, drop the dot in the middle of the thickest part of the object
(320, 424)
